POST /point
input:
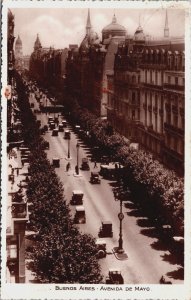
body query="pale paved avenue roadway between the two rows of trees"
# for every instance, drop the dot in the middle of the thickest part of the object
(147, 259)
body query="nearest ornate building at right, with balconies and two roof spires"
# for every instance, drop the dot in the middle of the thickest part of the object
(146, 103)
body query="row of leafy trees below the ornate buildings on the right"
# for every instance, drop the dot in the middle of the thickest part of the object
(149, 180)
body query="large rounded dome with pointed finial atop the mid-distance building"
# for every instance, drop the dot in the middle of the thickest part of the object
(113, 29)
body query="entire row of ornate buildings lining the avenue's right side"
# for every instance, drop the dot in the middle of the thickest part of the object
(135, 82)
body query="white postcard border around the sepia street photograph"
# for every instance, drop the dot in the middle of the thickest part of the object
(41, 291)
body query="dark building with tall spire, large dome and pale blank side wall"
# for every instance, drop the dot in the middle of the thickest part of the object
(88, 67)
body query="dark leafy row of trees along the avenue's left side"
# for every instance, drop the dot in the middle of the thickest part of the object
(61, 254)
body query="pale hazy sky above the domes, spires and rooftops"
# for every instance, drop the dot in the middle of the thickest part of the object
(60, 27)
